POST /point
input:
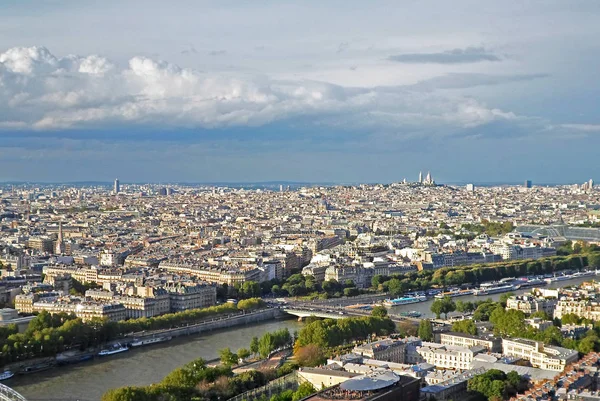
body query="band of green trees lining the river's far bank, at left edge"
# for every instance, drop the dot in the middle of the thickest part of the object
(48, 335)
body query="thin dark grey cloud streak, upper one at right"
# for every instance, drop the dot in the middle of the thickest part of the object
(454, 56)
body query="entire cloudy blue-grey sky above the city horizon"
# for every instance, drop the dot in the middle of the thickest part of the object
(335, 91)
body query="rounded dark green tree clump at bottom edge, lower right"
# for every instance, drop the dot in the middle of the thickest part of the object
(495, 385)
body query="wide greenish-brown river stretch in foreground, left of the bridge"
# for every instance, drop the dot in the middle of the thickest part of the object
(87, 381)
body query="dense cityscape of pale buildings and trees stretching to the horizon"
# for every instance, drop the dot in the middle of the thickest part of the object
(89, 272)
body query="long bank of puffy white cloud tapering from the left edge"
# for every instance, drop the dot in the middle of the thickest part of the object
(39, 90)
